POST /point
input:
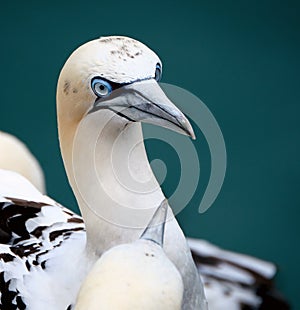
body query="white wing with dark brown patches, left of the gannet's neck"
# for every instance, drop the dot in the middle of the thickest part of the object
(41, 245)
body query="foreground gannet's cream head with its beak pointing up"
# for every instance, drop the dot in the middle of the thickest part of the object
(136, 275)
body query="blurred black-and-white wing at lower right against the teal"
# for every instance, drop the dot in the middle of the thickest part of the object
(235, 281)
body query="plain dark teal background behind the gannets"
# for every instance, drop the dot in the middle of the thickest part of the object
(240, 57)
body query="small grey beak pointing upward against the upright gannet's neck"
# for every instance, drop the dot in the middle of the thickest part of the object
(156, 228)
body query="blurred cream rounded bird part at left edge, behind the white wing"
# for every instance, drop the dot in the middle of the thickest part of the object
(15, 156)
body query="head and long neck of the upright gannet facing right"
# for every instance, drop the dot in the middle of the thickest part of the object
(106, 88)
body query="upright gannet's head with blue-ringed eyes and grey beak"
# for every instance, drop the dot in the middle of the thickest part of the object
(121, 75)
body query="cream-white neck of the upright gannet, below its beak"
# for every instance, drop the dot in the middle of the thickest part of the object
(109, 172)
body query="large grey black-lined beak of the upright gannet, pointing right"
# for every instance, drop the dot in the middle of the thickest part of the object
(145, 101)
